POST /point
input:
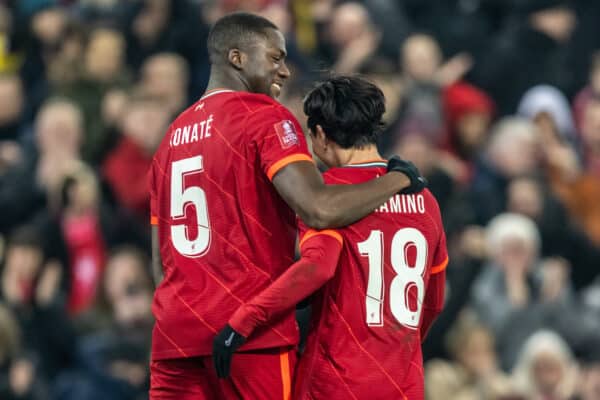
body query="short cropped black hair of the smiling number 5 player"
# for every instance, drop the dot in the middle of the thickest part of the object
(235, 31)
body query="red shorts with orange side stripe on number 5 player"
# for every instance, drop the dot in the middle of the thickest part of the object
(262, 374)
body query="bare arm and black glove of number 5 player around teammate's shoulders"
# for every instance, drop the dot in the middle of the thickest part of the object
(323, 206)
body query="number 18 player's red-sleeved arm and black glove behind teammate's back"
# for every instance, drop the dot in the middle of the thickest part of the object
(320, 252)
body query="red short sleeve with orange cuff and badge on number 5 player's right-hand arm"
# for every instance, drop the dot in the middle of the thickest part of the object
(278, 137)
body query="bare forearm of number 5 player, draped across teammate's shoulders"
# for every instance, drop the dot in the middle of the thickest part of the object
(341, 205)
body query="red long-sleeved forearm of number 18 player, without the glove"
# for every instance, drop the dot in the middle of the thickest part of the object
(315, 268)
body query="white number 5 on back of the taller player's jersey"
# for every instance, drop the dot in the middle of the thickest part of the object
(180, 198)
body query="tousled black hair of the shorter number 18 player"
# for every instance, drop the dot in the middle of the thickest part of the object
(348, 108)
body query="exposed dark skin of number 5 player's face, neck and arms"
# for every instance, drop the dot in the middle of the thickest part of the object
(260, 68)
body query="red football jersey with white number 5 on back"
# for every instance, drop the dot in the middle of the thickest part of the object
(224, 231)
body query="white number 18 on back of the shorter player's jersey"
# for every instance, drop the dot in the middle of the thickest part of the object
(407, 278)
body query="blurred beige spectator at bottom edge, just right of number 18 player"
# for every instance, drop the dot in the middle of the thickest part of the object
(473, 373)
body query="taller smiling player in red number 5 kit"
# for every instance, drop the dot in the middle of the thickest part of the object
(226, 183)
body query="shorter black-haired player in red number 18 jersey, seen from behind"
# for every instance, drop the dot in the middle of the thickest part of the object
(383, 276)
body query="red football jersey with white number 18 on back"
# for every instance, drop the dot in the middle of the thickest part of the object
(365, 340)
